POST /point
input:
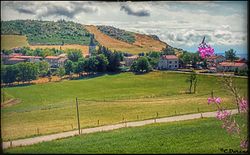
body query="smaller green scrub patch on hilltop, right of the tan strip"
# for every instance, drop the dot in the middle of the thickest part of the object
(119, 34)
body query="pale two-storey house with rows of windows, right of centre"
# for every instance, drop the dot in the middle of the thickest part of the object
(170, 62)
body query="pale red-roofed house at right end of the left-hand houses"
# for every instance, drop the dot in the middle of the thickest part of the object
(56, 61)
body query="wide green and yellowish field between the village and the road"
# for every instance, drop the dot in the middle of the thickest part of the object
(50, 107)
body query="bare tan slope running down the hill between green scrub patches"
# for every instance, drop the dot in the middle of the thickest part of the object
(143, 43)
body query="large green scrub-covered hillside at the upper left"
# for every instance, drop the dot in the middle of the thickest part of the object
(47, 32)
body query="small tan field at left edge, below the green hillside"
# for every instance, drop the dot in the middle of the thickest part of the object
(12, 41)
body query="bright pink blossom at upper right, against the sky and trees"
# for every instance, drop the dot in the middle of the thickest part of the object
(205, 50)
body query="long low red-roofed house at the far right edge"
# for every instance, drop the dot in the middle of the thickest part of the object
(231, 66)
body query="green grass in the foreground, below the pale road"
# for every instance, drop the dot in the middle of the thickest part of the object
(192, 136)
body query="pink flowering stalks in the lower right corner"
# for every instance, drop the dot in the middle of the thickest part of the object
(228, 120)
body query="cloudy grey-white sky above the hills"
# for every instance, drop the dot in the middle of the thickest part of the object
(180, 24)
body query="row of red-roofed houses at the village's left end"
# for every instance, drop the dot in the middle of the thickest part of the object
(54, 61)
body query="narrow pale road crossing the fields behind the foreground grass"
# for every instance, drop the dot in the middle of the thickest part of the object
(34, 140)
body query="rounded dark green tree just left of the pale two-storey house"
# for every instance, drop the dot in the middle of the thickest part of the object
(141, 65)
